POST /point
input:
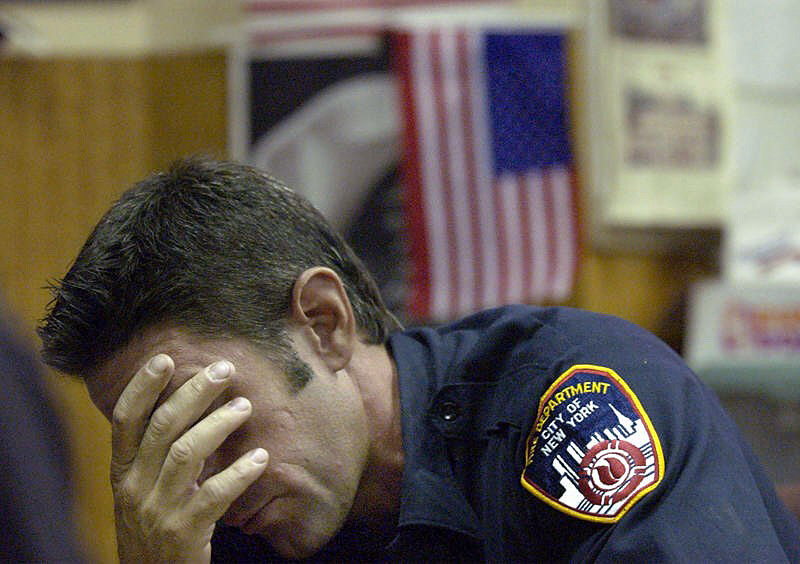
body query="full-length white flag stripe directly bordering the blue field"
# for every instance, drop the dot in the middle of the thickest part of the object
(483, 173)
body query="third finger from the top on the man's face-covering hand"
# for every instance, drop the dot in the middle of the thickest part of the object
(187, 454)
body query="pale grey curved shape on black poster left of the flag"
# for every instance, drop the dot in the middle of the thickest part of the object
(334, 147)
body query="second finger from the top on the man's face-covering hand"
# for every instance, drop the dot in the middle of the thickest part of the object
(181, 410)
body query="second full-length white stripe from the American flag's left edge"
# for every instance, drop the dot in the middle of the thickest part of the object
(462, 228)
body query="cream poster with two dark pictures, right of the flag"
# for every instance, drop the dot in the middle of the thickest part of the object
(660, 113)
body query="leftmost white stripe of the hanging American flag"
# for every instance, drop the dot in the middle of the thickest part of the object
(430, 155)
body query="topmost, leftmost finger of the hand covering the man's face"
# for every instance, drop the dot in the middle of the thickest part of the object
(133, 409)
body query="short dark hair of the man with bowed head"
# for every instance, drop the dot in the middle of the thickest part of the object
(213, 246)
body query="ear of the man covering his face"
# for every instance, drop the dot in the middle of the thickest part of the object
(322, 309)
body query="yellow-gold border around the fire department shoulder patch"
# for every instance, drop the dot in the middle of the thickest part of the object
(648, 425)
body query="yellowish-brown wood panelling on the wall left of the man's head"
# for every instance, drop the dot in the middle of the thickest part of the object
(75, 133)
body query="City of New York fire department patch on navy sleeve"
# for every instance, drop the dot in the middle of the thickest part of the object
(592, 452)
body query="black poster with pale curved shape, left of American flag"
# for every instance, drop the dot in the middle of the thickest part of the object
(312, 102)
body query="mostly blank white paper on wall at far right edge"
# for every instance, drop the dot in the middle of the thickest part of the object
(762, 238)
